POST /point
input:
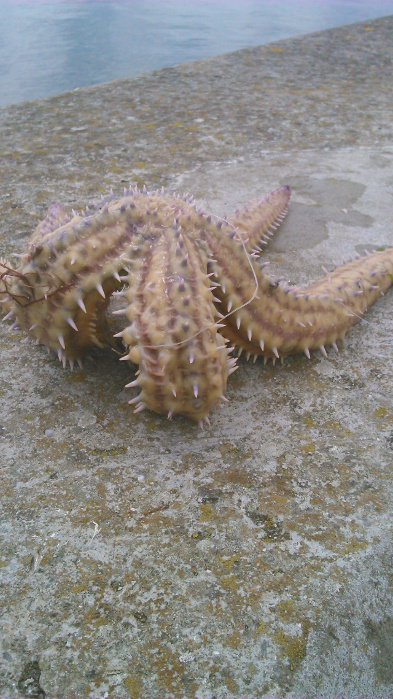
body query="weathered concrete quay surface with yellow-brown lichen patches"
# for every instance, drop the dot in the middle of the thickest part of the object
(149, 559)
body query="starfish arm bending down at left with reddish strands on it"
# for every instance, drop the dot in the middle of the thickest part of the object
(62, 284)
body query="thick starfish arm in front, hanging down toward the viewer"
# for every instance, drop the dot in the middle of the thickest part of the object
(172, 335)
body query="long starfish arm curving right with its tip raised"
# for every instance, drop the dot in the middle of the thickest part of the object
(264, 317)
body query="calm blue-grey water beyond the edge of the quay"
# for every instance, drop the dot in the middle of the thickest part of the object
(49, 47)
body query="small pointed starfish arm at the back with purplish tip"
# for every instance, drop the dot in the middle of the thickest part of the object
(258, 220)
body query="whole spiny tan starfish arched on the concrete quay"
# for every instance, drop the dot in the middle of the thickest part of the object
(191, 284)
